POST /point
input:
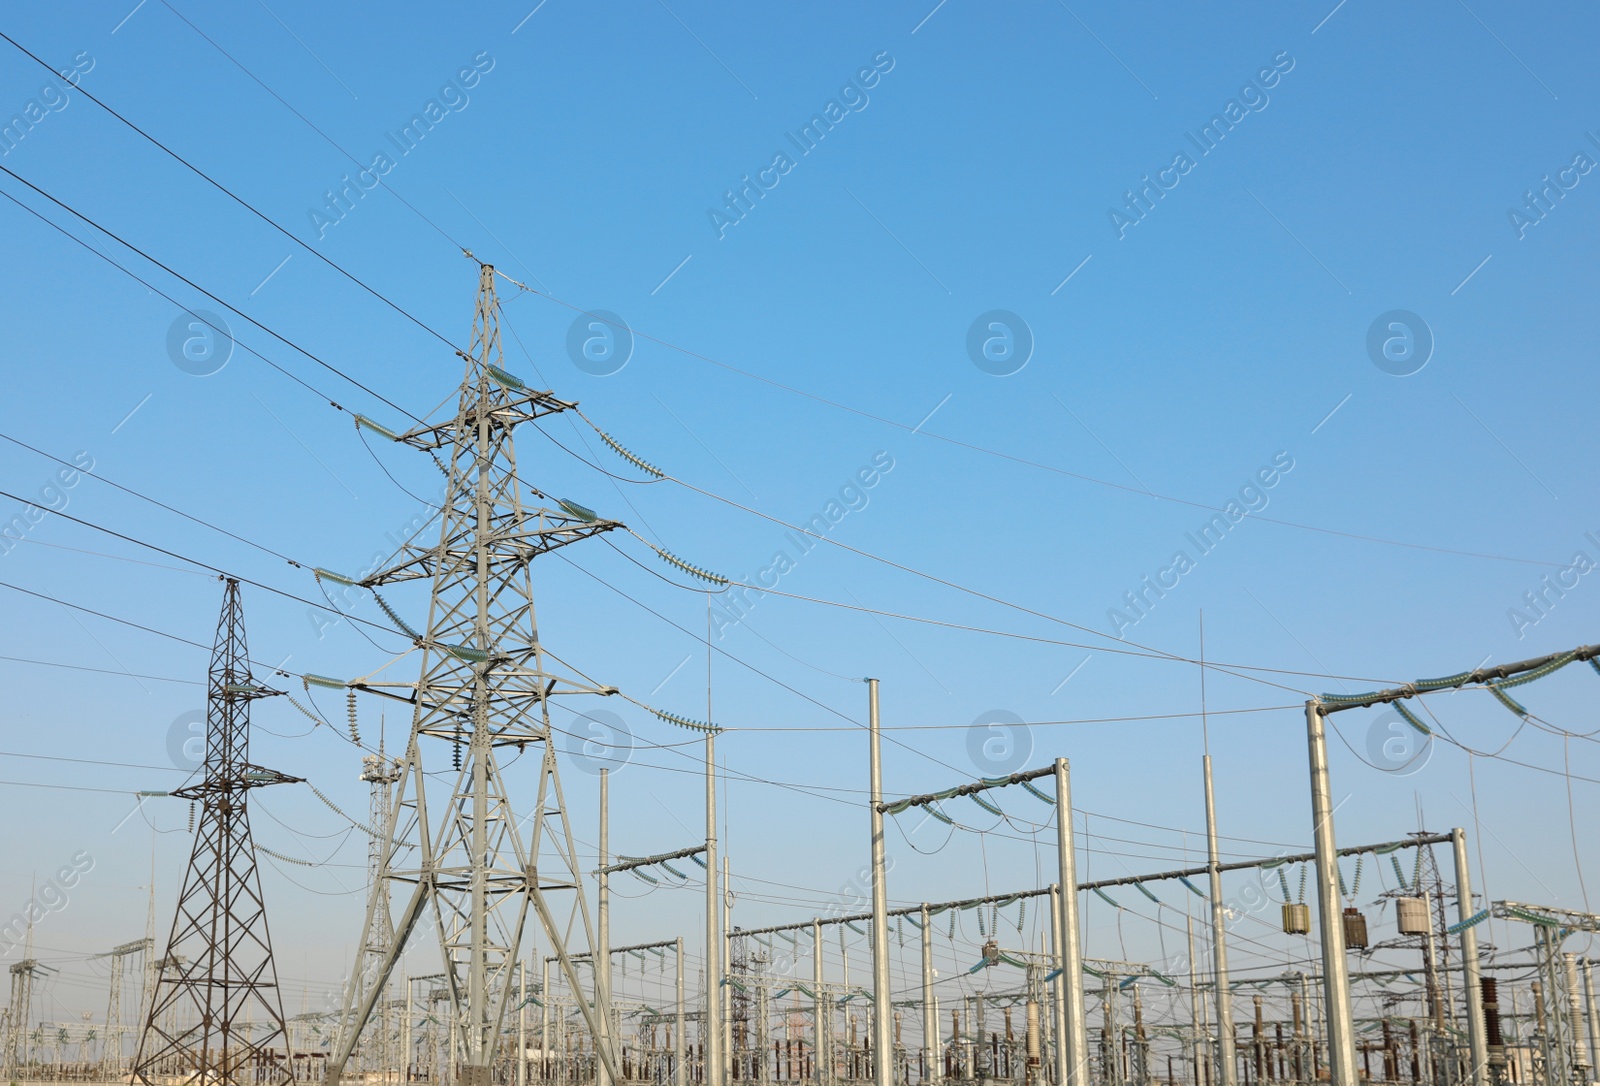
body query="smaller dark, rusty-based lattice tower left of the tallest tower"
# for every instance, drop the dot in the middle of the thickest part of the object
(218, 983)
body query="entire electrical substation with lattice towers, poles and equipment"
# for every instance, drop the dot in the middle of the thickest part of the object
(534, 992)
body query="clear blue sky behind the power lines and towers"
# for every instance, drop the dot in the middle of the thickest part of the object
(775, 357)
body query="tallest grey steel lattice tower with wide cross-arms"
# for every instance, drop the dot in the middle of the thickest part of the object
(473, 866)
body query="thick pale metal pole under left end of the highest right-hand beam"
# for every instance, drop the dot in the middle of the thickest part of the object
(1330, 919)
